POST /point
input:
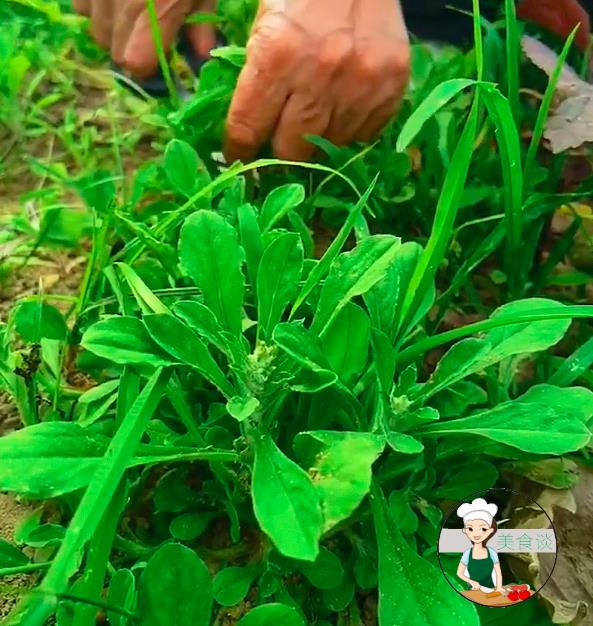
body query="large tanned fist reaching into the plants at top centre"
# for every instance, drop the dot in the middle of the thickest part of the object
(334, 68)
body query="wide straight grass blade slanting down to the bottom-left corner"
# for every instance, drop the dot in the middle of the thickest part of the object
(37, 607)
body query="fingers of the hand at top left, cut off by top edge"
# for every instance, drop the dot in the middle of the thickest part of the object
(123, 28)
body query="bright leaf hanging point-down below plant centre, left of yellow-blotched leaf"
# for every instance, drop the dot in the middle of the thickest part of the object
(285, 502)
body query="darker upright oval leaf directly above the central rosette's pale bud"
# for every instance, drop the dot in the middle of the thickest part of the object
(278, 279)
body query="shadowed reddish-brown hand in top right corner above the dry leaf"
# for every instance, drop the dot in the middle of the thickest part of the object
(559, 17)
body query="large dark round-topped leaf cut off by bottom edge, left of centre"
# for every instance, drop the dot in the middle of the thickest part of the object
(175, 588)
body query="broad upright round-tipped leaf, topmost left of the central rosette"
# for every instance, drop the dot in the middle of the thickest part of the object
(211, 255)
